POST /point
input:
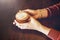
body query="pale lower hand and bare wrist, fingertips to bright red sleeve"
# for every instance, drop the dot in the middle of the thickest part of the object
(34, 25)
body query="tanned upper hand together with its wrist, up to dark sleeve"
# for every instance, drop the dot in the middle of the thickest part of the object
(39, 13)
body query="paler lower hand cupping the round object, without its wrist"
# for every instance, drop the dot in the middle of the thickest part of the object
(32, 24)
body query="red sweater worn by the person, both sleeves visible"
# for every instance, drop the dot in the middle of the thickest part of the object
(54, 11)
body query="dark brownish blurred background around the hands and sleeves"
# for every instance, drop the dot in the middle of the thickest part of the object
(8, 9)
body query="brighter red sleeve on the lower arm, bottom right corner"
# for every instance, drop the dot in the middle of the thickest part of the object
(54, 34)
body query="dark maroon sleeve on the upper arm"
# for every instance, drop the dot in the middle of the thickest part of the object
(54, 10)
